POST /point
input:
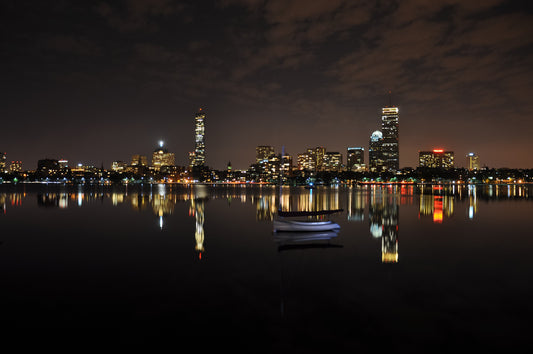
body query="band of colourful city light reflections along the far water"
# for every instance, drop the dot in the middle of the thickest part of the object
(379, 204)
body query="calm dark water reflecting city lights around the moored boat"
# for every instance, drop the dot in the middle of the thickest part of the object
(436, 268)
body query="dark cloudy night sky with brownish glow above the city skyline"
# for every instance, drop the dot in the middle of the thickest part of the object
(97, 81)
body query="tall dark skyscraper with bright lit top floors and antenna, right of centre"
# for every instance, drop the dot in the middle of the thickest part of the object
(390, 143)
